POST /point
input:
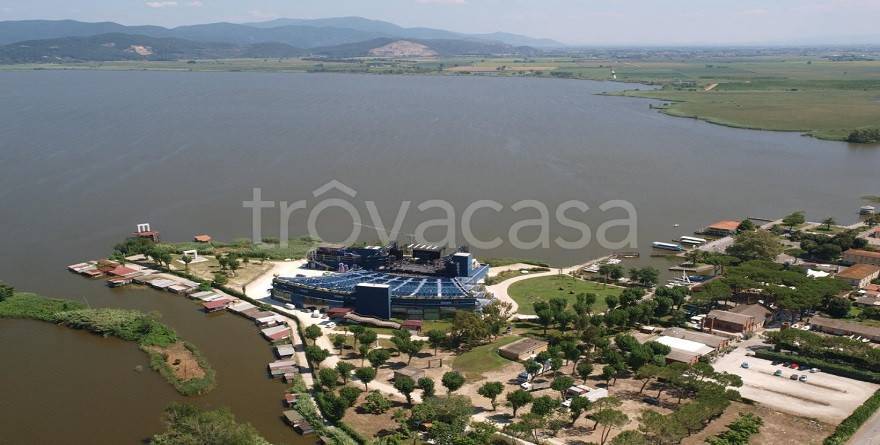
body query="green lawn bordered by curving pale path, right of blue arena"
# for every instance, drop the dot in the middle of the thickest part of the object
(527, 292)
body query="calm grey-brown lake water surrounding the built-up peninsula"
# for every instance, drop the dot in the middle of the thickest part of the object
(85, 156)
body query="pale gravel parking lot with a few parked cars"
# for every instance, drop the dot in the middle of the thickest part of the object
(823, 396)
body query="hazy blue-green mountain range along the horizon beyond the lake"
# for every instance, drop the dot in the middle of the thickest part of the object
(31, 41)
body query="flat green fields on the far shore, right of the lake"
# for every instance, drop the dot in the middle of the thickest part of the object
(817, 97)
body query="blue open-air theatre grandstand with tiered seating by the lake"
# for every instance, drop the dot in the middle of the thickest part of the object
(382, 294)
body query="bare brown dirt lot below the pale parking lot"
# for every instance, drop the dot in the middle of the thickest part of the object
(779, 428)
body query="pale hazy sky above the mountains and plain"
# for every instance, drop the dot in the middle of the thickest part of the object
(570, 21)
